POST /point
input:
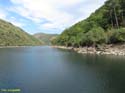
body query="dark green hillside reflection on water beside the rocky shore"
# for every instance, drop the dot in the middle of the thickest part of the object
(109, 68)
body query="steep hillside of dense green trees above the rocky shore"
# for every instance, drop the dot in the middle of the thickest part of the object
(105, 26)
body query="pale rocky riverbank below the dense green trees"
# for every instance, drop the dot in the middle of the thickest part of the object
(102, 50)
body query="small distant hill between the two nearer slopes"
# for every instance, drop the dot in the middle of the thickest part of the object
(45, 38)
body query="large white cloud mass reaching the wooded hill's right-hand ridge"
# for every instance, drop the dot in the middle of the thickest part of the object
(55, 11)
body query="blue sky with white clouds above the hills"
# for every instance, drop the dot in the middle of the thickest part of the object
(47, 16)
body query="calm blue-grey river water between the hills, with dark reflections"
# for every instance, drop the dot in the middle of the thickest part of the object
(49, 70)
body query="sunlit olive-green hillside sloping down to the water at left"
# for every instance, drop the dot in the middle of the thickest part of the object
(11, 35)
